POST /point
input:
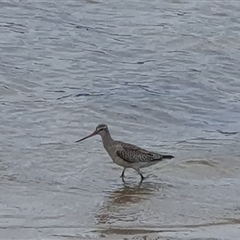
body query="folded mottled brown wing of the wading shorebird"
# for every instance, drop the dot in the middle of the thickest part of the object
(133, 154)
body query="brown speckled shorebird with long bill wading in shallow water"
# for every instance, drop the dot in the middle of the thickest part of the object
(124, 154)
